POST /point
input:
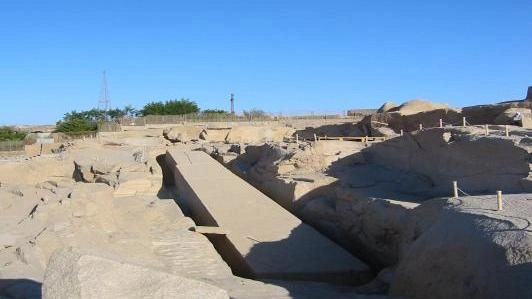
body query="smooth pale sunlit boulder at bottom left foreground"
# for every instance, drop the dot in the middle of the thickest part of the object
(73, 274)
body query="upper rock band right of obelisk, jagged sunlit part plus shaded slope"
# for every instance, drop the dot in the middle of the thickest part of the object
(412, 167)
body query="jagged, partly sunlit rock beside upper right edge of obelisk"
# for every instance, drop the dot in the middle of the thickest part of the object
(287, 173)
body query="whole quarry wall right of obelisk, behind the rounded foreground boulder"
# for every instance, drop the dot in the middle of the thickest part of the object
(361, 197)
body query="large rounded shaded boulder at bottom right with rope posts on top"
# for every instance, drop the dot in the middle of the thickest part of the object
(471, 252)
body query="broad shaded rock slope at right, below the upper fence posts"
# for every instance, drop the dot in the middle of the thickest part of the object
(480, 164)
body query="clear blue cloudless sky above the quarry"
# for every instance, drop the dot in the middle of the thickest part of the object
(280, 56)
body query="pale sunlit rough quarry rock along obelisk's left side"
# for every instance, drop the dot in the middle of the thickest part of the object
(133, 219)
